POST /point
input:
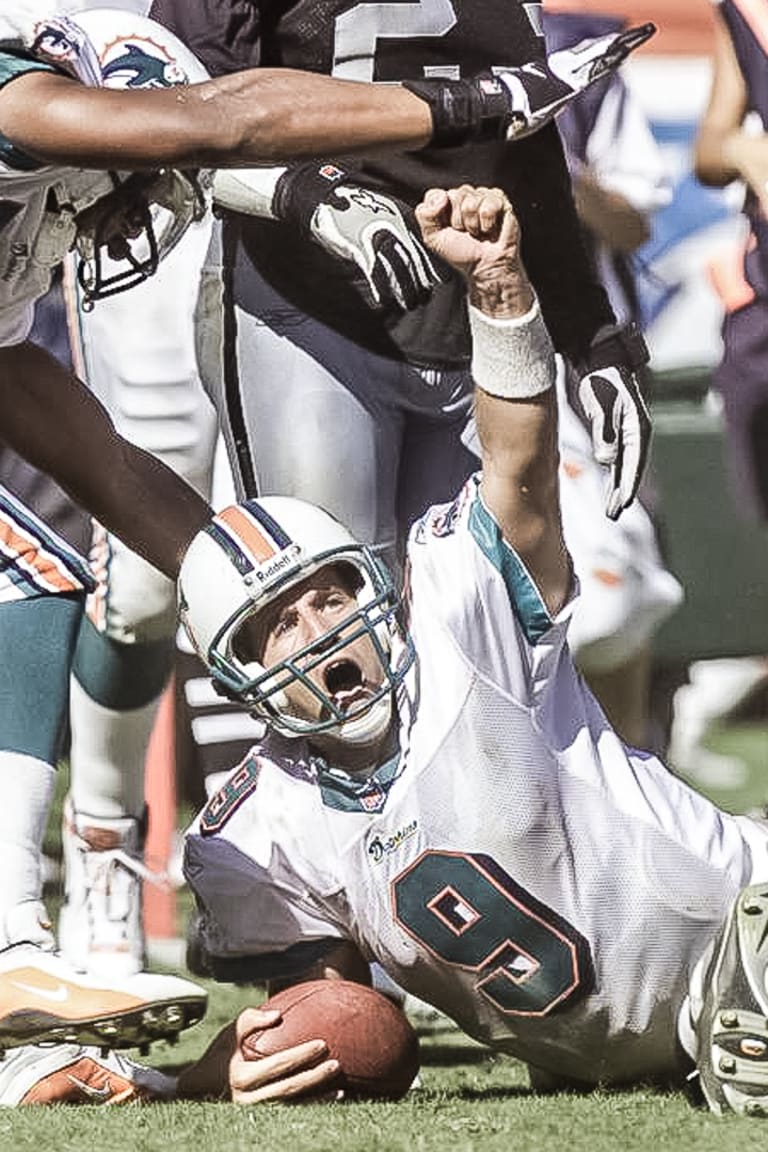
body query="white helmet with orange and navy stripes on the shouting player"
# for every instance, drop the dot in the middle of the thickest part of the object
(238, 566)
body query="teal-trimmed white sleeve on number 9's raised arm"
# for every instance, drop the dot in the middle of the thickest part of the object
(469, 585)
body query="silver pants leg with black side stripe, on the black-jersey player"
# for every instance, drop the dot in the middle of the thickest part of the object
(307, 413)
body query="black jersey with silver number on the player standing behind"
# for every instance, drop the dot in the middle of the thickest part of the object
(432, 37)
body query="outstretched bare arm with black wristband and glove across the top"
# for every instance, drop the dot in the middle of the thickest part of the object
(264, 116)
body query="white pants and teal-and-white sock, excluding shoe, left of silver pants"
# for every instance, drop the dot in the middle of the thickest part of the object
(139, 357)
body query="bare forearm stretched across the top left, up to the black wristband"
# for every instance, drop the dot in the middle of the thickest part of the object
(262, 116)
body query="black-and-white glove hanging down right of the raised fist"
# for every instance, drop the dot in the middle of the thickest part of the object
(612, 397)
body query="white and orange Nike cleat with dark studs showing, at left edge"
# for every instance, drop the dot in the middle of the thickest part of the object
(44, 999)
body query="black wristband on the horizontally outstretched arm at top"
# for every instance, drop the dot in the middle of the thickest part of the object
(465, 110)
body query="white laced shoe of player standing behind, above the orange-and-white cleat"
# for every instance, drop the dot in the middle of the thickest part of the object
(101, 929)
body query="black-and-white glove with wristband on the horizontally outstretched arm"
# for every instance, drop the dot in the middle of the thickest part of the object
(518, 102)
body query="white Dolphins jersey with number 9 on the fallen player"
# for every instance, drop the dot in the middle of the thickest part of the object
(518, 867)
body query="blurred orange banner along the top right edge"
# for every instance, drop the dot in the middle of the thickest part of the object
(686, 27)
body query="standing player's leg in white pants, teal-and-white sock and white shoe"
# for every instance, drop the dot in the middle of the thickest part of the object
(139, 355)
